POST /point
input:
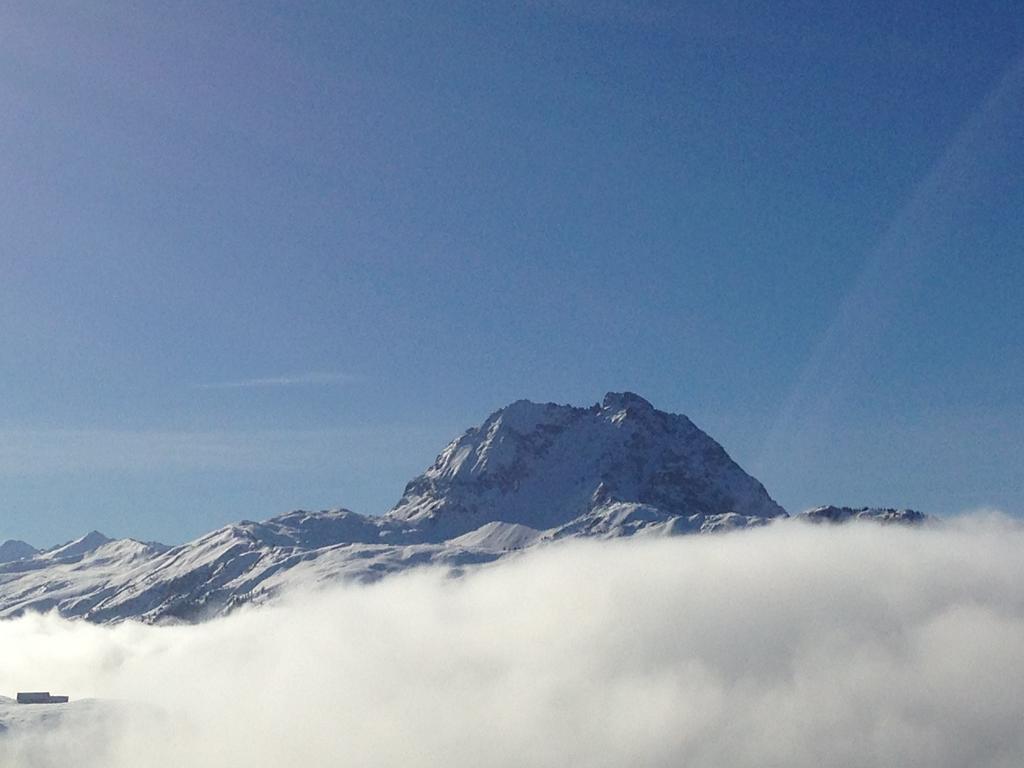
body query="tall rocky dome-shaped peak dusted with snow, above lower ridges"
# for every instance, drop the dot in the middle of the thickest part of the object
(545, 465)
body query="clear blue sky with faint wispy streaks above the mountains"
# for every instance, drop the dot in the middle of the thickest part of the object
(257, 257)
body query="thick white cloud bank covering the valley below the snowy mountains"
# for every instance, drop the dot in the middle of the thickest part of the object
(792, 647)
